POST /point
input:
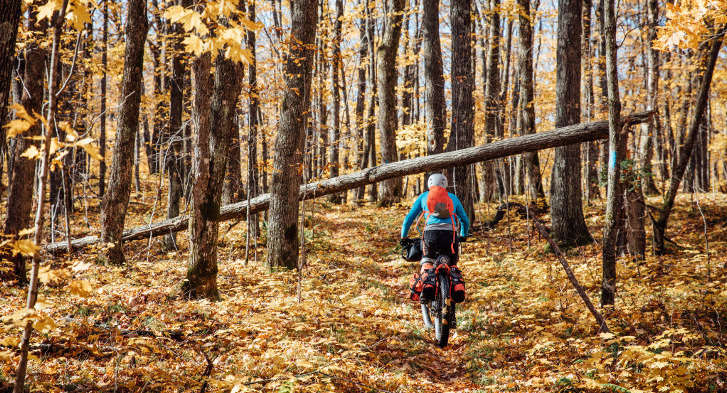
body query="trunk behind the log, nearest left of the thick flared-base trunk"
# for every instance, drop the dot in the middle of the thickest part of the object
(530, 160)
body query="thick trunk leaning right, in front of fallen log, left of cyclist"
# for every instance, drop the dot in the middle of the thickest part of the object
(283, 215)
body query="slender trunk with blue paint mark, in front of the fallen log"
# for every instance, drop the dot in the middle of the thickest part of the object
(617, 152)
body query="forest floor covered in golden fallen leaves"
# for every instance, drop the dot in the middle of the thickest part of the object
(522, 328)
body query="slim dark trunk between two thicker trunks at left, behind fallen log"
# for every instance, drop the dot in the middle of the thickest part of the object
(175, 130)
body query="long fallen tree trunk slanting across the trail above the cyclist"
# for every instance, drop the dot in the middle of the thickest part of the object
(577, 133)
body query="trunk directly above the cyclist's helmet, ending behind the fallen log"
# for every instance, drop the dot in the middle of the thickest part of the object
(433, 77)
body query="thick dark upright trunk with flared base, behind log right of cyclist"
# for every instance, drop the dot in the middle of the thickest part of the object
(566, 210)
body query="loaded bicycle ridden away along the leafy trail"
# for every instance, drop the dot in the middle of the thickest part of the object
(442, 307)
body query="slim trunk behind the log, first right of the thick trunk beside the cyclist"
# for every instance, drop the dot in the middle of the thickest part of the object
(492, 90)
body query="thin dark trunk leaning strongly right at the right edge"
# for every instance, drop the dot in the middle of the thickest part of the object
(685, 150)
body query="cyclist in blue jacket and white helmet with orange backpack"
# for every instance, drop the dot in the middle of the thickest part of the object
(443, 213)
